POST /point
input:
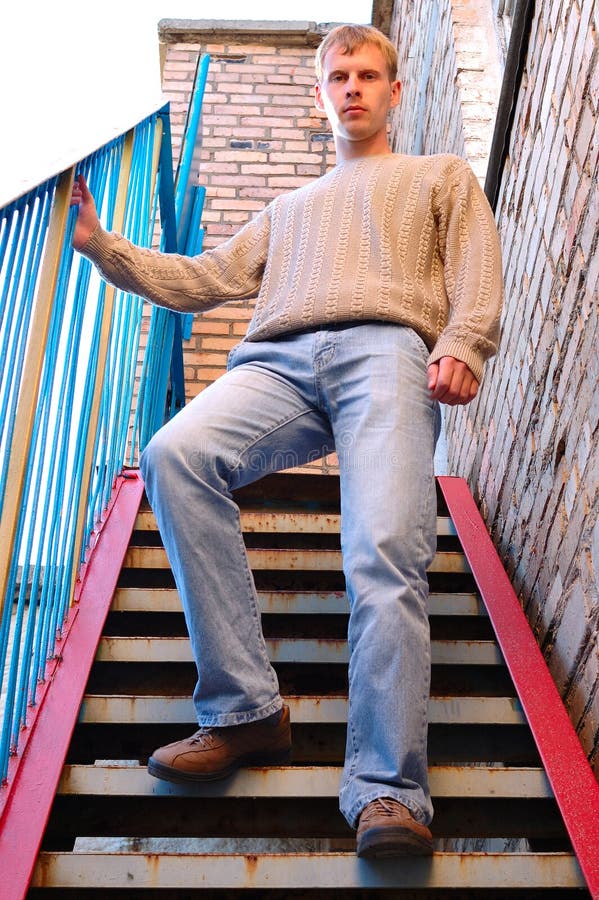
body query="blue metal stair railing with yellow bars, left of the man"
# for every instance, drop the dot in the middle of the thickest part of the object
(73, 408)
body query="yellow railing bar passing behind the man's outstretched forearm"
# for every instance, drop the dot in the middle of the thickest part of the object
(88, 461)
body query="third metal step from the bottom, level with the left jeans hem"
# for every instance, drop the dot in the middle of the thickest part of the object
(305, 710)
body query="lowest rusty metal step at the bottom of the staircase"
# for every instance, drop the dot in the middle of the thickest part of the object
(308, 871)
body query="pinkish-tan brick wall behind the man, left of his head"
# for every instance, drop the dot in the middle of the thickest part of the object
(261, 136)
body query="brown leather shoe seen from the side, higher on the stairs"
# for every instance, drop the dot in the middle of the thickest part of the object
(213, 753)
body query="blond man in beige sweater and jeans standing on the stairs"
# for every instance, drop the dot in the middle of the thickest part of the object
(378, 292)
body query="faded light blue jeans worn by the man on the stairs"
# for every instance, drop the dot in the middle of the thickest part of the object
(360, 390)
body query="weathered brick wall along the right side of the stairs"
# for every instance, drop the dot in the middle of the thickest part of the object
(529, 444)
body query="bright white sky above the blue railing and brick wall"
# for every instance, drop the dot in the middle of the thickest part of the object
(73, 75)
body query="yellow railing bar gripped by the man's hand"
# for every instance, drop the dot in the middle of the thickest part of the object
(34, 361)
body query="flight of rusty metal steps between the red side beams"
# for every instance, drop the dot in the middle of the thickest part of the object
(114, 831)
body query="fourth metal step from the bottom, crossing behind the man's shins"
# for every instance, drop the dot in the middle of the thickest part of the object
(301, 650)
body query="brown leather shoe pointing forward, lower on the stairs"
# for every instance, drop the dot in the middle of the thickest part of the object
(387, 828)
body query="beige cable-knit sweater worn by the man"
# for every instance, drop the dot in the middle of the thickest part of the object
(395, 238)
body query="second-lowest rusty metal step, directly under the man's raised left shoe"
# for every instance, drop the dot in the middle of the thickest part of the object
(116, 778)
